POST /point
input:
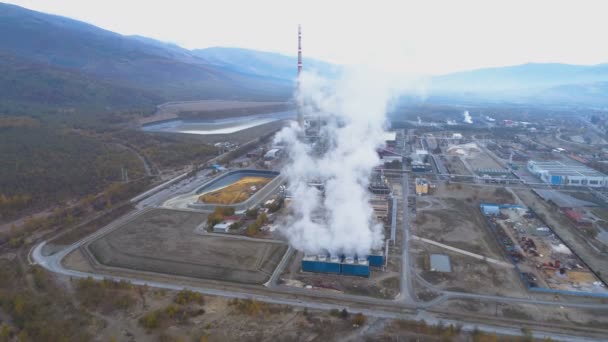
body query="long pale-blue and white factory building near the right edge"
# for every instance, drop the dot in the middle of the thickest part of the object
(569, 174)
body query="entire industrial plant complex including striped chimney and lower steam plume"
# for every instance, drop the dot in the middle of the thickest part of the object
(339, 208)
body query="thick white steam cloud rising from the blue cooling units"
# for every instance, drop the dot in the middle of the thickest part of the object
(340, 220)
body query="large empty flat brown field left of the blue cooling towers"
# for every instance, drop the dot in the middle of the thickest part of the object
(168, 242)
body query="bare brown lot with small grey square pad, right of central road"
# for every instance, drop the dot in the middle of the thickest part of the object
(450, 218)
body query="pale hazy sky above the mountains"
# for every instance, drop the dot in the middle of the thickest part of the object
(411, 36)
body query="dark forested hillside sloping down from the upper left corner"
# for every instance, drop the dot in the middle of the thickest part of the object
(67, 93)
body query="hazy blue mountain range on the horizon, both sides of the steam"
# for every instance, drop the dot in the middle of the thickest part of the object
(49, 60)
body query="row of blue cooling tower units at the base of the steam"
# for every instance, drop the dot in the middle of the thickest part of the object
(345, 265)
